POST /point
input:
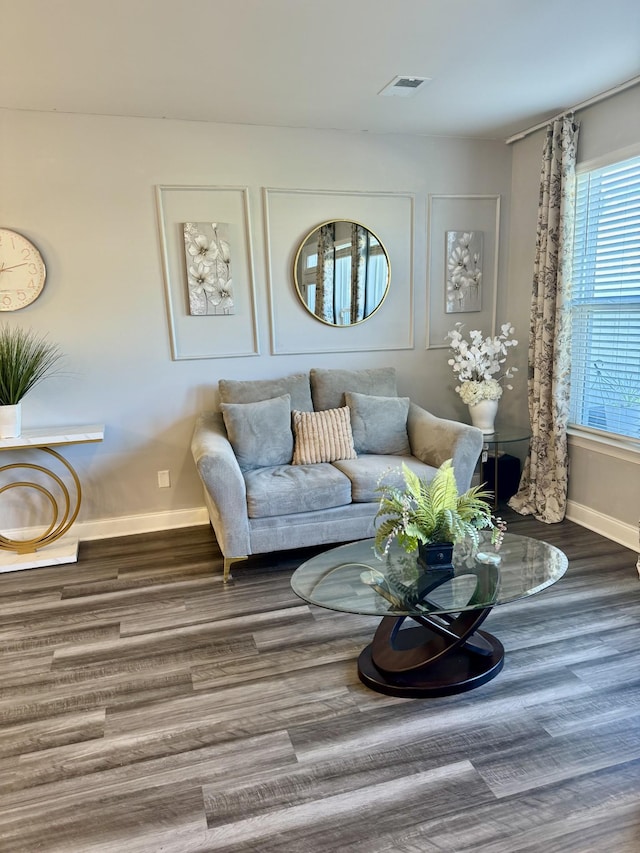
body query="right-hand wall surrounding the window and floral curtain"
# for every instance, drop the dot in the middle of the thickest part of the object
(604, 482)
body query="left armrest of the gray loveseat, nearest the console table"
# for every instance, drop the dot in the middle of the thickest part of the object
(224, 484)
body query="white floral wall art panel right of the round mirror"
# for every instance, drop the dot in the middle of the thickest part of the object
(463, 272)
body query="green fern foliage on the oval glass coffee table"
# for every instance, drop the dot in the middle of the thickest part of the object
(423, 512)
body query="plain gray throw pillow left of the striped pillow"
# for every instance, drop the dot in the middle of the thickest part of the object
(260, 433)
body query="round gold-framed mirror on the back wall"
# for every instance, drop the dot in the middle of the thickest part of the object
(341, 272)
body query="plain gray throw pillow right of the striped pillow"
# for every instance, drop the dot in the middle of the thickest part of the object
(379, 424)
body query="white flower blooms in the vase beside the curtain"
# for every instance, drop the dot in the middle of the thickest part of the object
(477, 361)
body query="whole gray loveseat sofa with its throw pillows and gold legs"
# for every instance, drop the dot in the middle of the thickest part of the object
(259, 501)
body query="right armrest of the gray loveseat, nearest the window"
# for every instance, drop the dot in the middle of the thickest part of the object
(434, 440)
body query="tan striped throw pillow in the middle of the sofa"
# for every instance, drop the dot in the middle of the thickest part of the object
(322, 436)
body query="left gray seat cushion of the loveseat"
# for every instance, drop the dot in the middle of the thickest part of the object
(288, 489)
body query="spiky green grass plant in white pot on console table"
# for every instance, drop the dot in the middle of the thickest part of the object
(26, 358)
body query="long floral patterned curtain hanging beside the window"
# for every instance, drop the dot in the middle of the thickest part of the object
(543, 487)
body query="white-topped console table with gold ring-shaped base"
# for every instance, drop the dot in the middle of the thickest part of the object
(61, 493)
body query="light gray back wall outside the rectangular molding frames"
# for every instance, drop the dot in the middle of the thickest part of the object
(82, 188)
